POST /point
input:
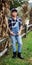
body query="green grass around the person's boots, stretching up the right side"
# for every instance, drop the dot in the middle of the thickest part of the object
(26, 51)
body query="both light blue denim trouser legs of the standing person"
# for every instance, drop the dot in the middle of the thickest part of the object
(19, 40)
